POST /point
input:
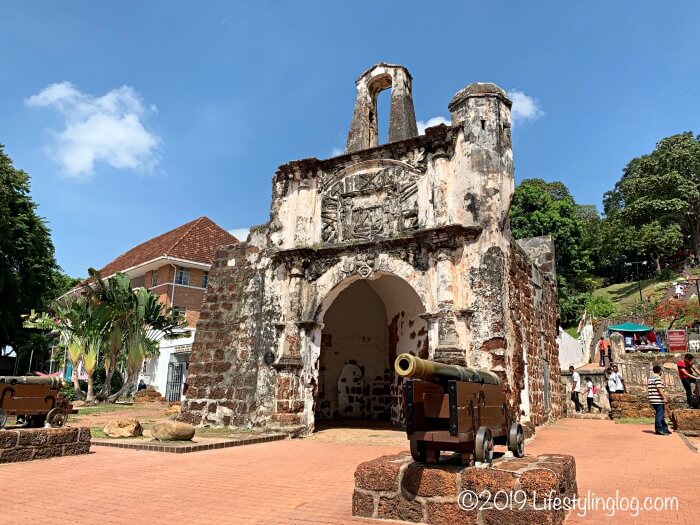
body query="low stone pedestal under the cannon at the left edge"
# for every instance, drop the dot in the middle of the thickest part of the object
(41, 443)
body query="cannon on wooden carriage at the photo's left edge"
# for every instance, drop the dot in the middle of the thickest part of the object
(37, 399)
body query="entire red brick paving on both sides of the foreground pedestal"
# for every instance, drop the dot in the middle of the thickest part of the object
(311, 481)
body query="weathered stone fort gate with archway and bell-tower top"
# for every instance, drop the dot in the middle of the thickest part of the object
(403, 247)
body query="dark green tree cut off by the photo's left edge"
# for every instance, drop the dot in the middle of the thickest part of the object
(27, 262)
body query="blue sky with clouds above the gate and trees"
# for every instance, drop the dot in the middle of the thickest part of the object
(135, 117)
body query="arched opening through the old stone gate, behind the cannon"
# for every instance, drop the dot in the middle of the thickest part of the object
(366, 324)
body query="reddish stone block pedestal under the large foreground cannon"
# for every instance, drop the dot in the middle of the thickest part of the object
(511, 491)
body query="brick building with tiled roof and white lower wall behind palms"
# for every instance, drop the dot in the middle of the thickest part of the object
(175, 267)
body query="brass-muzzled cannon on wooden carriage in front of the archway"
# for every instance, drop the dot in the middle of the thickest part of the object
(456, 408)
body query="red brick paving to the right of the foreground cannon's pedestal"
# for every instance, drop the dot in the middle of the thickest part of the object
(630, 459)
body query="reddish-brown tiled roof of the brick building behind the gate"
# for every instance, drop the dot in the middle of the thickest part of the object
(195, 241)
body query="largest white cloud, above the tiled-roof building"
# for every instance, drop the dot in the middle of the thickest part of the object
(106, 129)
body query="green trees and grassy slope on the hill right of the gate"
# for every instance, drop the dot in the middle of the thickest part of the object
(651, 220)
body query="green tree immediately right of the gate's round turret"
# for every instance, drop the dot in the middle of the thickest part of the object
(547, 208)
